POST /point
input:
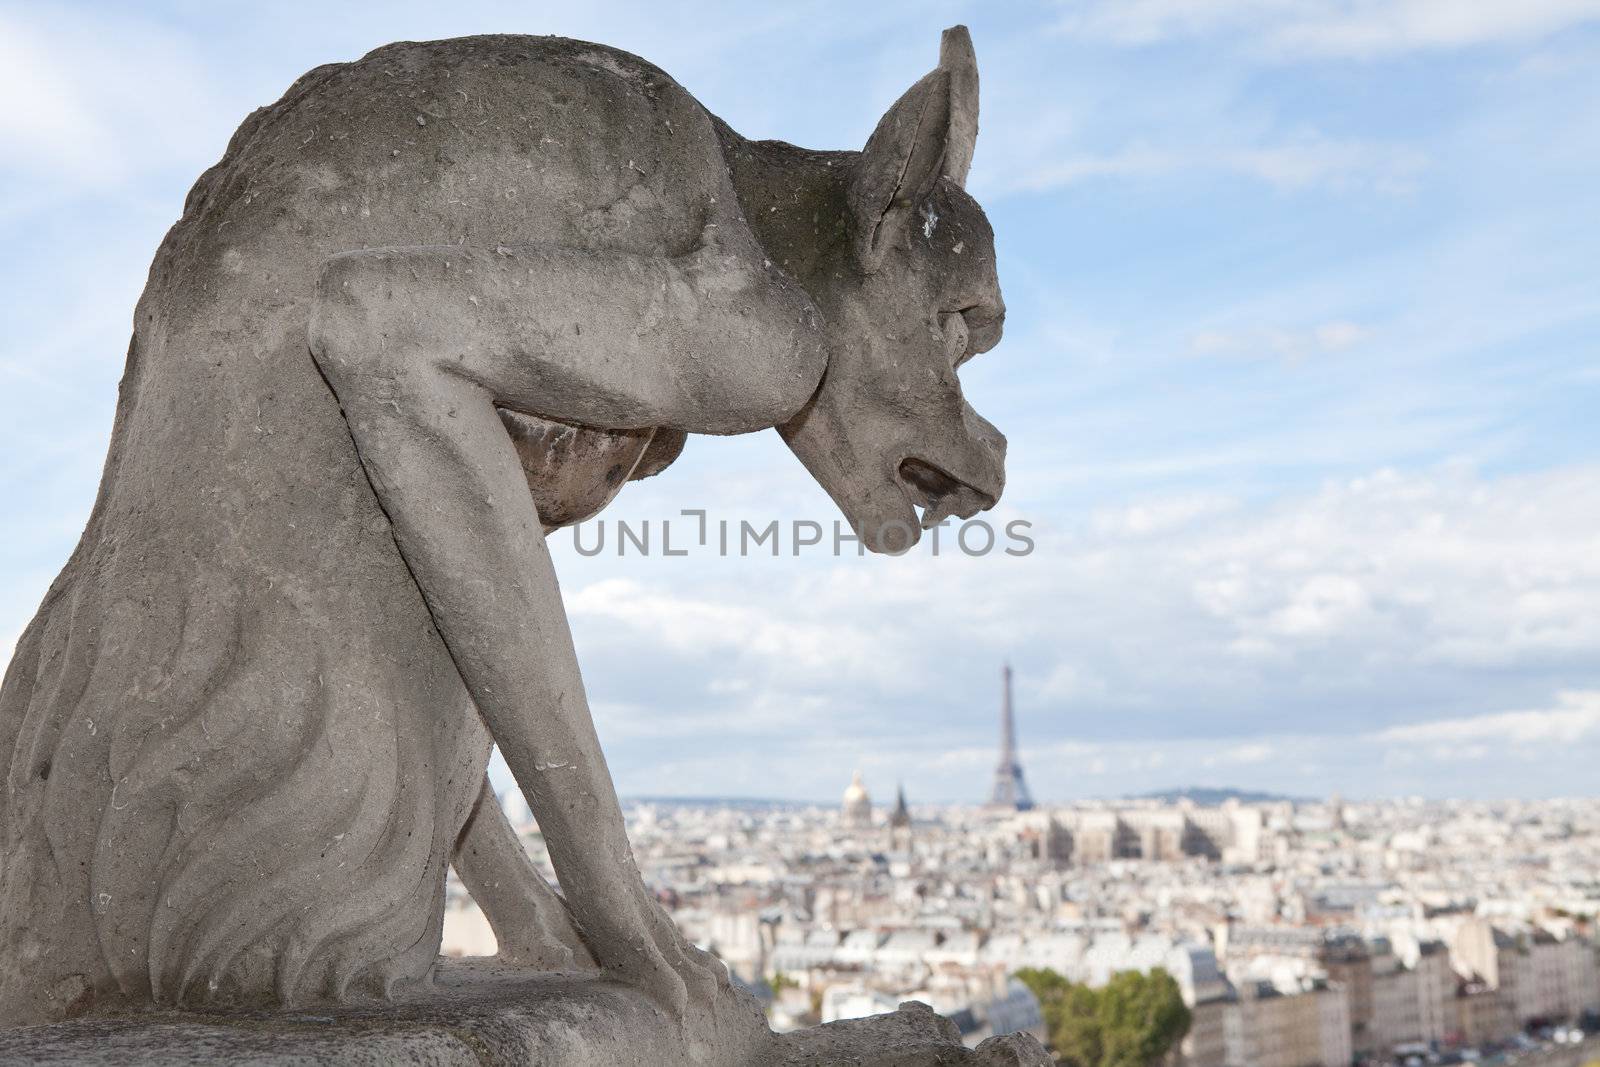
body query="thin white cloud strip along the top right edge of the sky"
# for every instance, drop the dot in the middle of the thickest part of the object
(1330, 28)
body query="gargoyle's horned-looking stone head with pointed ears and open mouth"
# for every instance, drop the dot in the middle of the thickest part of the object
(889, 430)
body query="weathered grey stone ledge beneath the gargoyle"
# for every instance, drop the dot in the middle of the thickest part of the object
(479, 1015)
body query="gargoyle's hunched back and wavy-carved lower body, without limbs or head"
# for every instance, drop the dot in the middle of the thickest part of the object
(239, 749)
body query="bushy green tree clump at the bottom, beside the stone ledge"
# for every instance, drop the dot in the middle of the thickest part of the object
(1132, 1023)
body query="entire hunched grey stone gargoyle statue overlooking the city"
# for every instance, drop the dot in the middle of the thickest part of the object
(430, 306)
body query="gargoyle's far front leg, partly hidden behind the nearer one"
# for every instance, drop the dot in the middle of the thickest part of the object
(529, 919)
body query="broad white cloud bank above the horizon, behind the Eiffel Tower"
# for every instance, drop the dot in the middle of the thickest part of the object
(1247, 639)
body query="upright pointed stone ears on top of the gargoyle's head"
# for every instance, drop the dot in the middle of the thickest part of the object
(927, 134)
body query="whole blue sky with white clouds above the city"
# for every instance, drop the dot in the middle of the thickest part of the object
(1302, 375)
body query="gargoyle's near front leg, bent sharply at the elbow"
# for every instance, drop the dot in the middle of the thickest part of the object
(420, 346)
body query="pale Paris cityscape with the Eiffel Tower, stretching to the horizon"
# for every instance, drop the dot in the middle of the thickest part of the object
(1298, 930)
